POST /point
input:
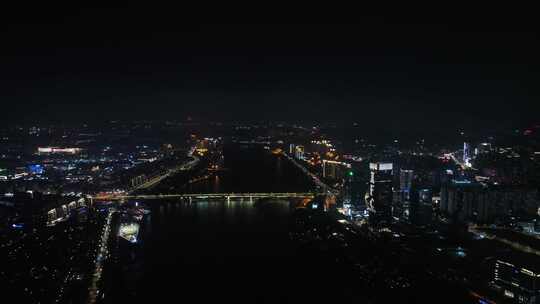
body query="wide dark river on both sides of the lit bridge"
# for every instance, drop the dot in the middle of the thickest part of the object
(219, 251)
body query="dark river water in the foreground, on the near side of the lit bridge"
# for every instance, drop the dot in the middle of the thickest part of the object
(217, 251)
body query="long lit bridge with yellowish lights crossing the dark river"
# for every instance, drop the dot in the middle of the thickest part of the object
(206, 196)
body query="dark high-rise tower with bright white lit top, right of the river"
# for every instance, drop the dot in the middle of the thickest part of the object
(379, 196)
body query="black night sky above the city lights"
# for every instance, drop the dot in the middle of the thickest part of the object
(383, 71)
